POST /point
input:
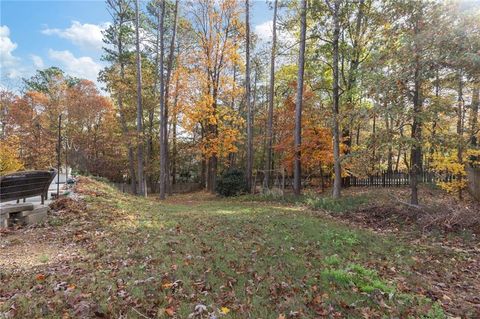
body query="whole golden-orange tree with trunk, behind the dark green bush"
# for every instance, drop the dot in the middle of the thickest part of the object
(216, 29)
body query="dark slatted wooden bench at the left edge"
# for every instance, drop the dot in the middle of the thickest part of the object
(20, 185)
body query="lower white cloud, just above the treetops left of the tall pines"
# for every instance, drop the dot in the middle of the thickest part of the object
(83, 67)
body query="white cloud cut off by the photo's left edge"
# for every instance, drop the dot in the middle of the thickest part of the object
(8, 62)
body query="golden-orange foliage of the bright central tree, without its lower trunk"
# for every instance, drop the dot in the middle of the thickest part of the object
(212, 89)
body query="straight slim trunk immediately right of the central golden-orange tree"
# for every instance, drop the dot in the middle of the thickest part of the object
(249, 175)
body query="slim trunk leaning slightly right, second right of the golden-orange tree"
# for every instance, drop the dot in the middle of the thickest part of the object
(268, 162)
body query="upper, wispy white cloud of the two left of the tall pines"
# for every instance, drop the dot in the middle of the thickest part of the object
(87, 36)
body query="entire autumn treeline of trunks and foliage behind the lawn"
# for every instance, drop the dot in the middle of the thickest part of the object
(342, 88)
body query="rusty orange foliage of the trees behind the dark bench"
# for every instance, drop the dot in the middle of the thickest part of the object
(88, 118)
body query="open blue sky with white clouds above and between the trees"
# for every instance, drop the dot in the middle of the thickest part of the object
(67, 34)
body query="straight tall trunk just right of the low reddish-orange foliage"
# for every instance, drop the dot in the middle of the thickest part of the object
(337, 183)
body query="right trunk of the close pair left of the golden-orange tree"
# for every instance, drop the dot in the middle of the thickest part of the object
(167, 89)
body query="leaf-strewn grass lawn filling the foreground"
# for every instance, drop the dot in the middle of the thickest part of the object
(112, 255)
